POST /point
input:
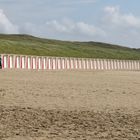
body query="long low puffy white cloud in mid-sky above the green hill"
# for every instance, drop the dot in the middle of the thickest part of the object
(74, 28)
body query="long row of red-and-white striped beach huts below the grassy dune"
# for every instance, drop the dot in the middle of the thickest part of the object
(8, 61)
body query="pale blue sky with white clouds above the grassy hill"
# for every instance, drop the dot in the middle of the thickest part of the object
(112, 21)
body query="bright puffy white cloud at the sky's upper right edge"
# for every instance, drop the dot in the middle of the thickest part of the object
(116, 18)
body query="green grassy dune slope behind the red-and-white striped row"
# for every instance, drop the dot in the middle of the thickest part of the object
(25, 44)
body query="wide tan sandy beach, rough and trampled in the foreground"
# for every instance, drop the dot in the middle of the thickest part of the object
(69, 105)
